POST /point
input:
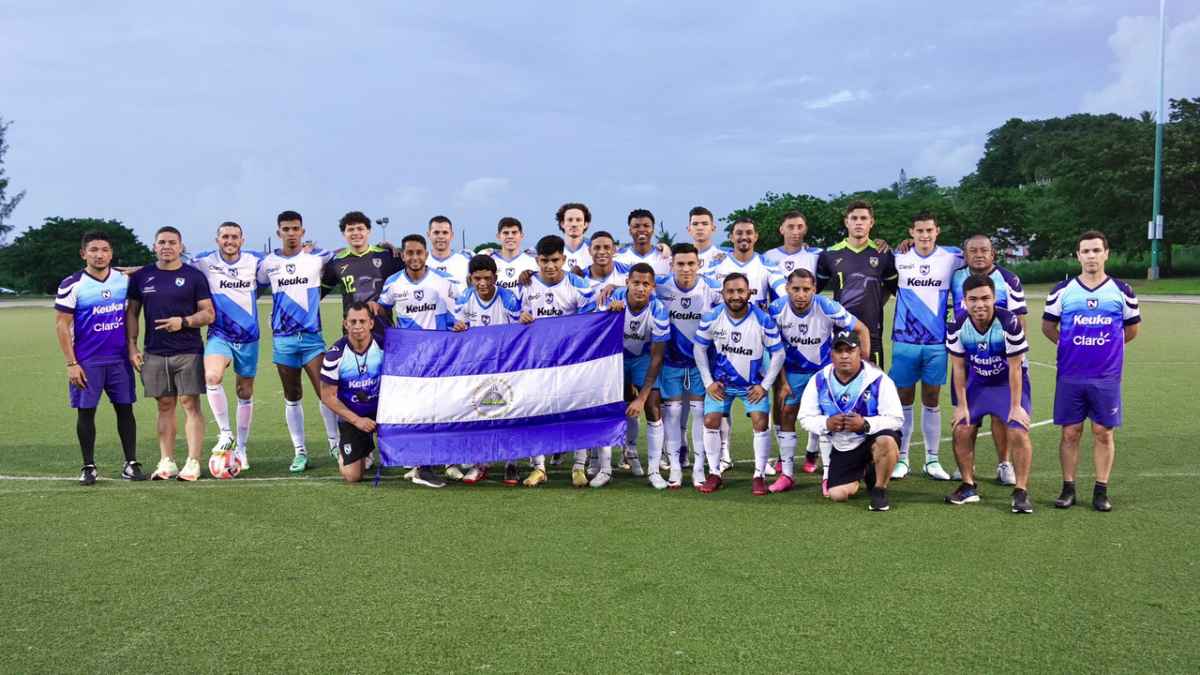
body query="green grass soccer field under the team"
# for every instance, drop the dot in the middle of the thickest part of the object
(273, 574)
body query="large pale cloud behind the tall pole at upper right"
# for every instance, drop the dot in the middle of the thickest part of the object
(1135, 46)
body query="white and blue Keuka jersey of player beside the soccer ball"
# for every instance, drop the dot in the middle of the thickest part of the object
(235, 289)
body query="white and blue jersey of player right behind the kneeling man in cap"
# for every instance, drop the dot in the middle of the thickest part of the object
(808, 338)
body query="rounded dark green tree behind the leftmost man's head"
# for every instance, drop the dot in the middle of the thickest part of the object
(43, 256)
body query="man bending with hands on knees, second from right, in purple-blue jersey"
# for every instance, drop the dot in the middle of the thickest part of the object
(988, 348)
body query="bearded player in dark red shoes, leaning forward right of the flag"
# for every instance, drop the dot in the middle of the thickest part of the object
(730, 347)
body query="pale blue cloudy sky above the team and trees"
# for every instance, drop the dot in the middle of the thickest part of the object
(159, 114)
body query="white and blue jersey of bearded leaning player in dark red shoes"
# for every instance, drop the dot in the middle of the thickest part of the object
(736, 348)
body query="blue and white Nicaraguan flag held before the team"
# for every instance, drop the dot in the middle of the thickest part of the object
(502, 392)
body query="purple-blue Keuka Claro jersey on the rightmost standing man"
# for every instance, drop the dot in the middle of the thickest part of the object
(1091, 327)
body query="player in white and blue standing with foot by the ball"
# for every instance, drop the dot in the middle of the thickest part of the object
(233, 338)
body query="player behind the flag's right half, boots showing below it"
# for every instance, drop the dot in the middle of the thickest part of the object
(554, 292)
